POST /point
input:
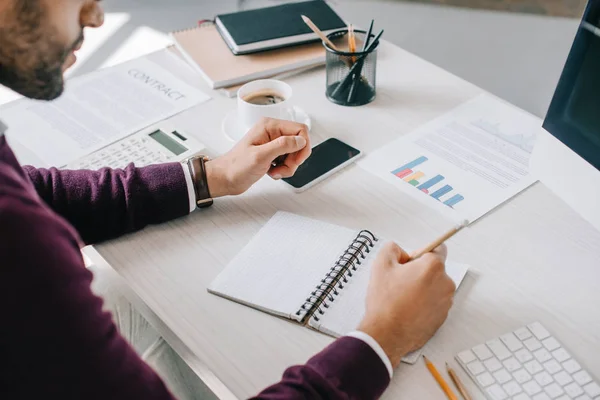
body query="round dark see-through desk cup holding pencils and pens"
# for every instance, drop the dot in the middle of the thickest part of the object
(351, 77)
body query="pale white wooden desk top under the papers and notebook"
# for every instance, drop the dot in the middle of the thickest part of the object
(533, 259)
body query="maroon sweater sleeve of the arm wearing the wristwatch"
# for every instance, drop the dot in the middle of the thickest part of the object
(107, 203)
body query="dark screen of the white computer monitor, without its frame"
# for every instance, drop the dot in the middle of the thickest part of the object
(574, 114)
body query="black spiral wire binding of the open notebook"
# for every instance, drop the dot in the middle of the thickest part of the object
(329, 288)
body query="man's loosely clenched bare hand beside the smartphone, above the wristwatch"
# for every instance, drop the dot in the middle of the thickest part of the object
(252, 158)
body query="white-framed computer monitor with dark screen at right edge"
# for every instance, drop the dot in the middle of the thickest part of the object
(567, 154)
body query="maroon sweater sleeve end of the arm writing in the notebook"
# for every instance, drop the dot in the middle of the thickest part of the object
(347, 369)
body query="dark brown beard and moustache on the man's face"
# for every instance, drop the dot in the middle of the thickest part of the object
(31, 58)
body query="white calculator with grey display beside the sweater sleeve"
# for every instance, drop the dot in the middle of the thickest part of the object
(161, 143)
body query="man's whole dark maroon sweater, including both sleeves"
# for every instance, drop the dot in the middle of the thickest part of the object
(55, 340)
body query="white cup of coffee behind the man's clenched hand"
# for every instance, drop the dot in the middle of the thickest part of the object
(249, 114)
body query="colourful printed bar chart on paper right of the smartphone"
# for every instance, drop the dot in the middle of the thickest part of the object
(433, 185)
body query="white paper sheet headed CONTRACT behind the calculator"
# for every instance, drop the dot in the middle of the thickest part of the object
(99, 109)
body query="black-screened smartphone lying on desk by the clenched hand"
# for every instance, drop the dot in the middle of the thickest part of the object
(326, 159)
